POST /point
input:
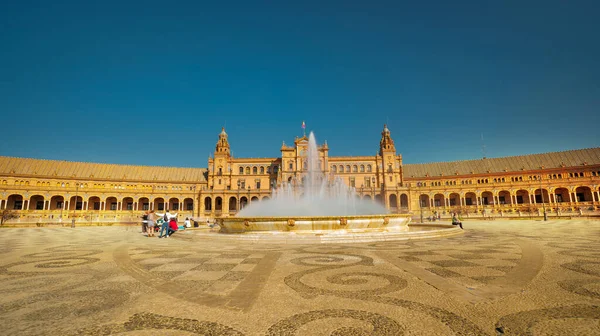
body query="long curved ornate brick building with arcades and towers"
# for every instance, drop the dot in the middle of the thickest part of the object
(563, 183)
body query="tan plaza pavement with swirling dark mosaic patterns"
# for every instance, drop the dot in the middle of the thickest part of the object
(499, 278)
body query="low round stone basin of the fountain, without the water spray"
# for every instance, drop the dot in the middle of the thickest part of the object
(317, 225)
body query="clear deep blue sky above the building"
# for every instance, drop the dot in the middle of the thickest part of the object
(153, 82)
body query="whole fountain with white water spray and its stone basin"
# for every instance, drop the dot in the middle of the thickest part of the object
(315, 206)
